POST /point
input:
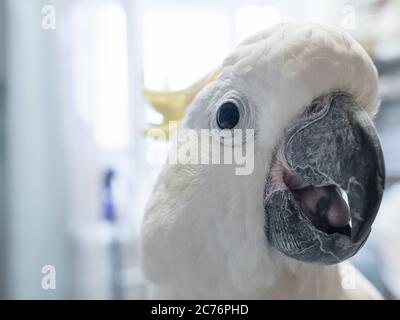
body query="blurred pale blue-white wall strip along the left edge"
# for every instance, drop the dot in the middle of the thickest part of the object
(35, 165)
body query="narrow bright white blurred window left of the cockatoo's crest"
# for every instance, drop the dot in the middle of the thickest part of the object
(101, 71)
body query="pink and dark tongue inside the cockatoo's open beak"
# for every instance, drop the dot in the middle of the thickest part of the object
(324, 203)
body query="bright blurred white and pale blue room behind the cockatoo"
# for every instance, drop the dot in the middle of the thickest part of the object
(74, 169)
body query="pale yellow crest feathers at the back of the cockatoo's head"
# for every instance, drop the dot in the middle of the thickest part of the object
(172, 105)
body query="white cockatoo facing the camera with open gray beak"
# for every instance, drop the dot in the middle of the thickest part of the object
(309, 92)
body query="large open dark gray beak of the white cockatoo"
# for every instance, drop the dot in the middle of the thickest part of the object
(333, 148)
